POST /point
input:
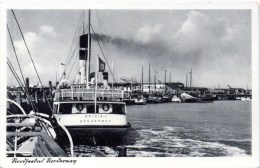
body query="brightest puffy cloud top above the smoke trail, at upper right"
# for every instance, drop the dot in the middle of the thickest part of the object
(197, 34)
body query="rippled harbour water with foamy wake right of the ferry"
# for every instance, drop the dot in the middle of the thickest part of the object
(221, 128)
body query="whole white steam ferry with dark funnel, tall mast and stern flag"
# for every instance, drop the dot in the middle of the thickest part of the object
(87, 109)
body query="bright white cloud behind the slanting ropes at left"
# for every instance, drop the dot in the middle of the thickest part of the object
(39, 46)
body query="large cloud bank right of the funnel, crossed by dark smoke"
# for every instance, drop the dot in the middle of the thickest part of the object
(209, 46)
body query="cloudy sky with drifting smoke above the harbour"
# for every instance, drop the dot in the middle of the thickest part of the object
(215, 44)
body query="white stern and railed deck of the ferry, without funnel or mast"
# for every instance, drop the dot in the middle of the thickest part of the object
(75, 109)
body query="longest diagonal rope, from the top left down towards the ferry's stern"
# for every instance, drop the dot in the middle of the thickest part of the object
(32, 60)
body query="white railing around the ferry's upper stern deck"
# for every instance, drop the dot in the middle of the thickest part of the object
(88, 94)
